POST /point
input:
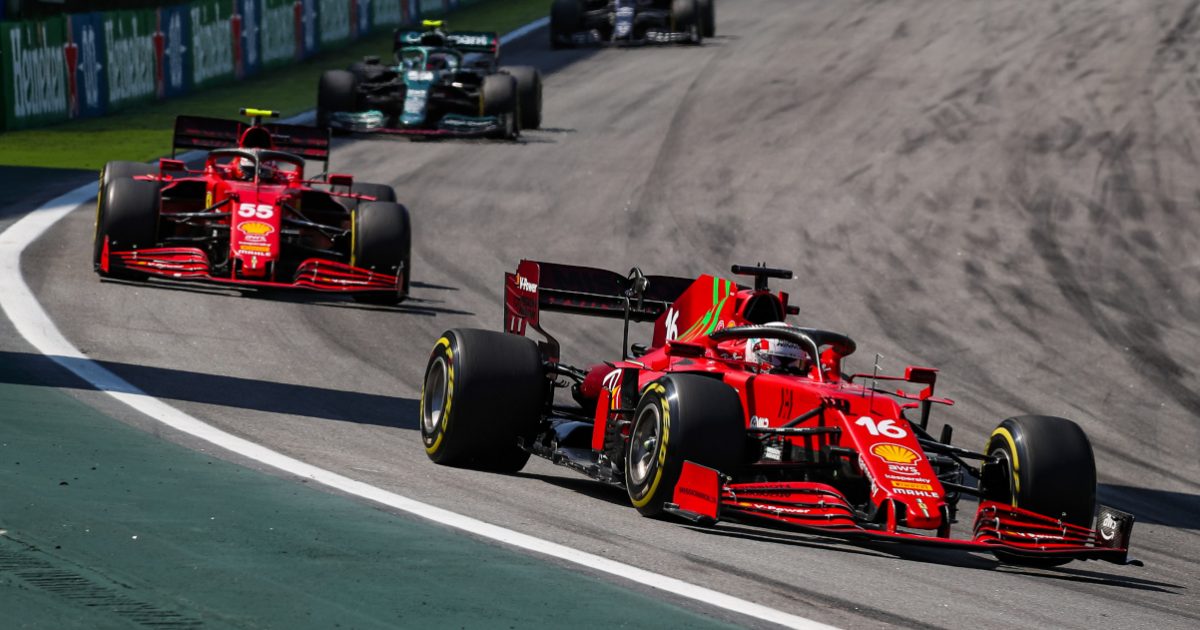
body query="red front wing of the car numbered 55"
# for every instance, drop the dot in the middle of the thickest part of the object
(191, 263)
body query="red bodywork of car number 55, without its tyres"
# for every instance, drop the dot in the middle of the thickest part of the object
(255, 212)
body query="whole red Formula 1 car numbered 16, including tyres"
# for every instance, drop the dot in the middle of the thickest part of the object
(733, 415)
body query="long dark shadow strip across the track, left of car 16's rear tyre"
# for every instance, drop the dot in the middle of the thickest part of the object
(249, 394)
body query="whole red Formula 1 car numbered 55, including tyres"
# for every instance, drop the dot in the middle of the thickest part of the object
(250, 217)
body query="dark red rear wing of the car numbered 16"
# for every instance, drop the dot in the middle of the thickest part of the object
(538, 287)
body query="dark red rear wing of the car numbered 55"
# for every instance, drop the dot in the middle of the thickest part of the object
(208, 134)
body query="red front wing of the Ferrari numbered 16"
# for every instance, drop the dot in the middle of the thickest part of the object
(704, 499)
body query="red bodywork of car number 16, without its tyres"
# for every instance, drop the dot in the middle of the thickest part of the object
(887, 485)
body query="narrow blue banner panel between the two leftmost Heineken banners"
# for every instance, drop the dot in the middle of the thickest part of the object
(86, 58)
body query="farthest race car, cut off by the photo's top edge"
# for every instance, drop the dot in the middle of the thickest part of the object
(631, 22)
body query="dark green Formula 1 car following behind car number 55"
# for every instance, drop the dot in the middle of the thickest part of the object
(441, 85)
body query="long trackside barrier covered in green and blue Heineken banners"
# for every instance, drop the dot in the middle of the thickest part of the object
(86, 65)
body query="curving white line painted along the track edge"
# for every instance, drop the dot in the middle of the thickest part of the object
(35, 326)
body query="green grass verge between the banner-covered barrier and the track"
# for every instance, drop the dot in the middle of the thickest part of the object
(142, 134)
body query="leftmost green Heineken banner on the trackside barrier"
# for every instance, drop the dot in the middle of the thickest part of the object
(35, 82)
